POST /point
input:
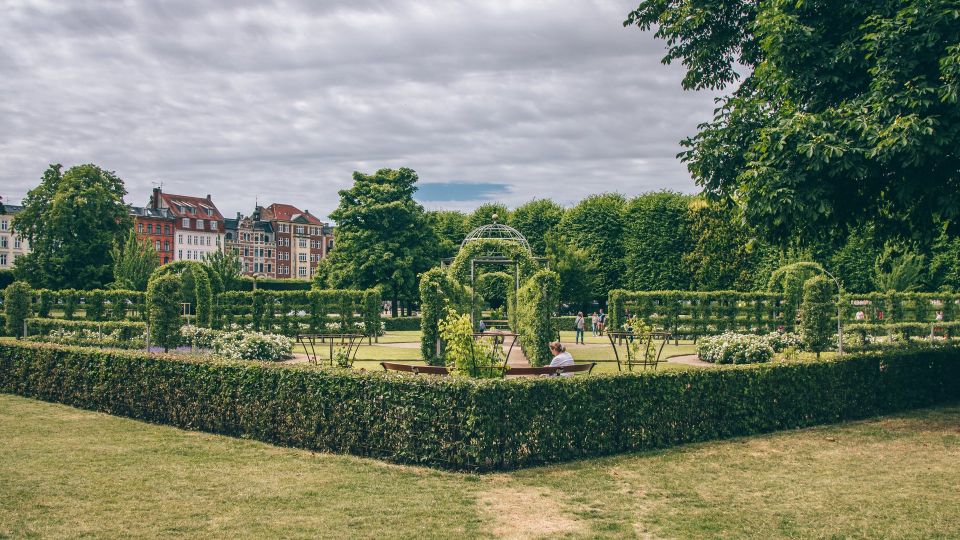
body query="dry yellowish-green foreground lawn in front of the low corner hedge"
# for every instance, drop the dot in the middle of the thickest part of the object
(67, 472)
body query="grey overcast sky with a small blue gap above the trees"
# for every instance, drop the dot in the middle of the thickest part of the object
(502, 100)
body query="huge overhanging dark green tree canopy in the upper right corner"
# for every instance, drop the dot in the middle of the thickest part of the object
(849, 114)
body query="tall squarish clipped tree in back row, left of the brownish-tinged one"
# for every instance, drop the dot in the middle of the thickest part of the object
(656, 238)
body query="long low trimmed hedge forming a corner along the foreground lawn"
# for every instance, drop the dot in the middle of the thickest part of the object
(481, 425)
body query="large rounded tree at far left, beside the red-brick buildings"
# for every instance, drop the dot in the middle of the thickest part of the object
(72, 220)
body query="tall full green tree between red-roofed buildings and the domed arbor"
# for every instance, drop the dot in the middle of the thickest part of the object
(382, 238)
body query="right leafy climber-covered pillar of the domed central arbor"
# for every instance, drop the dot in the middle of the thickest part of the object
(537, 300)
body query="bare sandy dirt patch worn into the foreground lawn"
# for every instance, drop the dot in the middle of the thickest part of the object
(527, 512)
